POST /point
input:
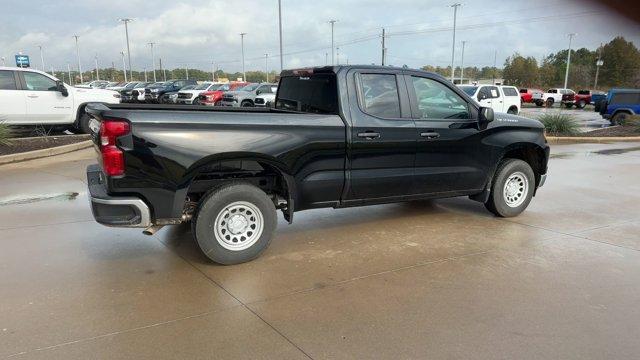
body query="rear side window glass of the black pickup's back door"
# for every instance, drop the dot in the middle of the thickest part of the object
(379, 94)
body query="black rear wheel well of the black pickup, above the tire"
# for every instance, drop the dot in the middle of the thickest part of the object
(259, 173)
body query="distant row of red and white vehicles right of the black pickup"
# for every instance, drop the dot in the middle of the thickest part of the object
(565, 97)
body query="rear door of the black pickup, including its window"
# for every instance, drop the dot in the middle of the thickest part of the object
(383, 135)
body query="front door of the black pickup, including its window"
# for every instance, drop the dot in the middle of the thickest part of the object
(447, 157)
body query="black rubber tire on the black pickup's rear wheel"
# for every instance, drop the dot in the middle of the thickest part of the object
(205, 229)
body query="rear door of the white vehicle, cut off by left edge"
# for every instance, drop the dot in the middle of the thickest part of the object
(12, 100)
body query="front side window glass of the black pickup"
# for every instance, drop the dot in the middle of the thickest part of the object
(437, 101)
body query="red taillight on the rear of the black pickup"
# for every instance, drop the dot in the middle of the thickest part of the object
(112, 156)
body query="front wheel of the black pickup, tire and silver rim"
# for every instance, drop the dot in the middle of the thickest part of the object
(512, 188)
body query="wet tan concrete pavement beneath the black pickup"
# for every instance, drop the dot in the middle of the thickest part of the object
(433, 279)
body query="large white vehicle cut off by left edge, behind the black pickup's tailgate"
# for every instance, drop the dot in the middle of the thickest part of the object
(32, 97)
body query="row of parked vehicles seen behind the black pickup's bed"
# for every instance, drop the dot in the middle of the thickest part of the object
(190, 92)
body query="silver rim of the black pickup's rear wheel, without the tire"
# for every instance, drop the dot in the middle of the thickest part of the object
(239, 225)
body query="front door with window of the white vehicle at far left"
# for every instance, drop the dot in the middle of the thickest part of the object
(45, 104)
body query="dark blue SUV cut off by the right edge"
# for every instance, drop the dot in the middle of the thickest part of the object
(619, 105)
